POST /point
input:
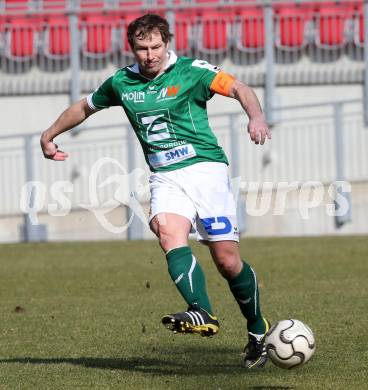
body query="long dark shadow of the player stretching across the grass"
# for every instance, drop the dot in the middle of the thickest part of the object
(194, 362)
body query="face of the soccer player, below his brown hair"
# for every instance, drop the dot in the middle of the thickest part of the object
(151, 54)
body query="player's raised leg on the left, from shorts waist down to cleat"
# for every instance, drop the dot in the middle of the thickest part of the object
(171, 217)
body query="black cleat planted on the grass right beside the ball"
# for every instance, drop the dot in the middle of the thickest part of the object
(254, 354)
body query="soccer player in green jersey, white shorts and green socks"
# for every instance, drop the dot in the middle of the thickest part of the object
(165, 99)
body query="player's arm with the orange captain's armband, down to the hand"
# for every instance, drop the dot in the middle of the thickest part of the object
(227, 85)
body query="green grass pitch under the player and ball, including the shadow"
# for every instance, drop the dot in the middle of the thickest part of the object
(92, 314)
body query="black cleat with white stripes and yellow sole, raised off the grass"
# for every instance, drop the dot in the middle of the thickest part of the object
(194, 320)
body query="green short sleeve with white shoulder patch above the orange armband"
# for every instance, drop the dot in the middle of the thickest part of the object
(203, 74)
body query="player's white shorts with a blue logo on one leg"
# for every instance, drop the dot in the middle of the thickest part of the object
(200, 192)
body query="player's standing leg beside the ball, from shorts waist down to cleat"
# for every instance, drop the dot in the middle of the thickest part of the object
(217, 224)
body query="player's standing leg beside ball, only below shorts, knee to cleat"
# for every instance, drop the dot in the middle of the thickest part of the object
(244, 287)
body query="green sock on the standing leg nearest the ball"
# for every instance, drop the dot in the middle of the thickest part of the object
(245, 290)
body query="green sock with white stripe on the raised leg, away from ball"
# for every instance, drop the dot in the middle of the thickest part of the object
(188, 277)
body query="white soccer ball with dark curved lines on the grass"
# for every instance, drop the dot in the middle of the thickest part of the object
(290, 343)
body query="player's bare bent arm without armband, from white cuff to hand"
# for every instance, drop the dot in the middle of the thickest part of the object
(71, 117)
